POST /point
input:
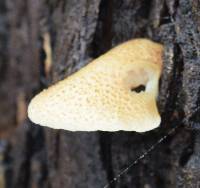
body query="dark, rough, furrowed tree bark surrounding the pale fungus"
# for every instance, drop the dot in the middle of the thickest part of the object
(39, 157)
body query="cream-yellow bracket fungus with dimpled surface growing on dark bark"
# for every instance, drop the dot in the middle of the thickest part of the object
(104, 94)
